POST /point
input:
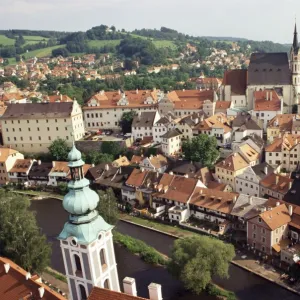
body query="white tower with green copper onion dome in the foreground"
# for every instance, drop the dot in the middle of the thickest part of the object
(86, 240)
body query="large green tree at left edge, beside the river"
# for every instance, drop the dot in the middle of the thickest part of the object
(20, 237)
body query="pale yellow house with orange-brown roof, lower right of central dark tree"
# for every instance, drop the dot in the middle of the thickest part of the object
(231, 167)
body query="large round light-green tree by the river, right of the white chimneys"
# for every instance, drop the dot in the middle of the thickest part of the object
(195, 260)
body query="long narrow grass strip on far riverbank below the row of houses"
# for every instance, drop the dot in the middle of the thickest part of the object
(159, 226)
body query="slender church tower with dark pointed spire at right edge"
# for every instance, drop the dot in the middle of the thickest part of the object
(295, 63)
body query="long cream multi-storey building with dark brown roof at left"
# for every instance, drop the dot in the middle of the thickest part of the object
(32, 127)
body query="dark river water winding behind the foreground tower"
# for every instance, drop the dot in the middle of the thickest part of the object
(247, 286)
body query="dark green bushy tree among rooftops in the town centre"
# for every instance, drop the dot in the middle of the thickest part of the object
(201, 148)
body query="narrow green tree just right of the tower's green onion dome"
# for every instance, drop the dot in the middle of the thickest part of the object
(107, 206)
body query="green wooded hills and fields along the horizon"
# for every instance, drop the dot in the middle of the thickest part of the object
(162, 43)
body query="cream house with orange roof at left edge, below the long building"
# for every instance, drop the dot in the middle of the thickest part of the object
(8, 158)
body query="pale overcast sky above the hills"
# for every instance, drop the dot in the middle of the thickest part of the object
(254, 19)
